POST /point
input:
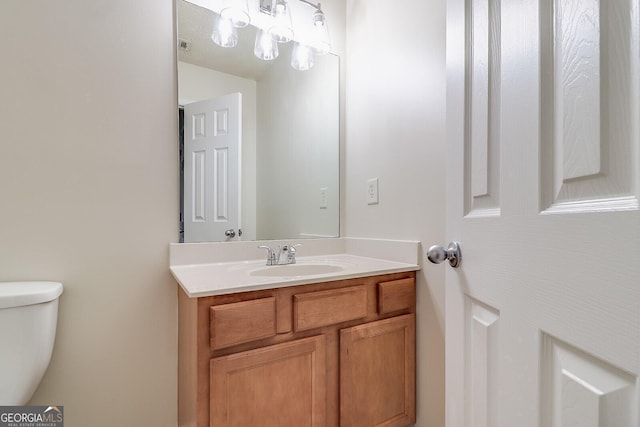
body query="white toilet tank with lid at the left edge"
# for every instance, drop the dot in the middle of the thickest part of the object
(28, 319)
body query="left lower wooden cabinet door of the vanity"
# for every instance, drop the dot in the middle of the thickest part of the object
(280, 385)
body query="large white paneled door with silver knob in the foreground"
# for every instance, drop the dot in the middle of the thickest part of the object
(543, 178)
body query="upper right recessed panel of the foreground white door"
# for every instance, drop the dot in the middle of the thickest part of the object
(589, 105)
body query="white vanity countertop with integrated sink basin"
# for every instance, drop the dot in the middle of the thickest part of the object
(217, 278)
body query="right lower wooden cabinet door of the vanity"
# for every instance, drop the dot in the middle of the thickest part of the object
(377, 373)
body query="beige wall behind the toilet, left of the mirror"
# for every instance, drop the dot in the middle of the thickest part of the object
(89, 194)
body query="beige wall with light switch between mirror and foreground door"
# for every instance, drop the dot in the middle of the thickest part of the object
(395, 121)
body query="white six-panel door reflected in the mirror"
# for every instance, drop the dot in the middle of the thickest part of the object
(212, 144)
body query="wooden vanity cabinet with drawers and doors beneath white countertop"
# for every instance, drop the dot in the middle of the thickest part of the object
(338, 353)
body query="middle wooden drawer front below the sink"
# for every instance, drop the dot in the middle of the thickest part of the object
(322, 308)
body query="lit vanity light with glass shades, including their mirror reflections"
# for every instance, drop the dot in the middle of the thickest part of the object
(311, 37)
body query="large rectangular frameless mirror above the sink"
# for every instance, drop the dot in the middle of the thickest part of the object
(285, 129)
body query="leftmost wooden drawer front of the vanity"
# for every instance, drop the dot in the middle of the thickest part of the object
(241, 322)
